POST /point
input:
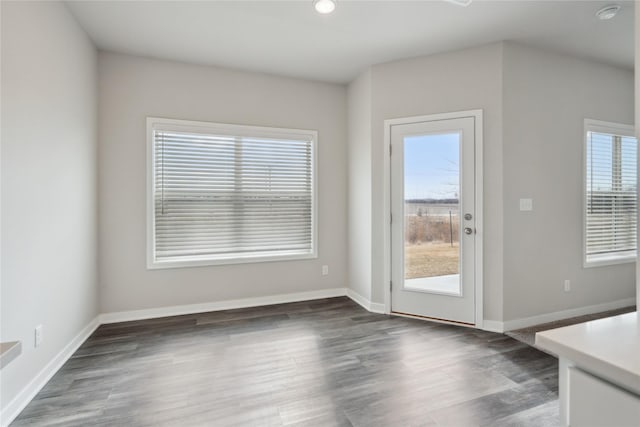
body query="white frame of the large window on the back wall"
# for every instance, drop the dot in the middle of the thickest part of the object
(157, 123)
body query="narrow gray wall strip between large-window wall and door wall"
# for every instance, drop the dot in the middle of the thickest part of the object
(359, 158)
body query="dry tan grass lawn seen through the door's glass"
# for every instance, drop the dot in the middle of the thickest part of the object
(430, 259)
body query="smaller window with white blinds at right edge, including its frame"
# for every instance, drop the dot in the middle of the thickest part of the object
(611, 206)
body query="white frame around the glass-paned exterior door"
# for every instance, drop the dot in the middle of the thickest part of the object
(477, 115)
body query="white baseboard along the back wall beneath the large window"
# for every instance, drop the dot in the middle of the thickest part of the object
(176, 310)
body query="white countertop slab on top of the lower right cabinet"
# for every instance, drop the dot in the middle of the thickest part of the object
(608, 348)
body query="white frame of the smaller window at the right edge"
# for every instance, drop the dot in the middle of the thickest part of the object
(611, 128)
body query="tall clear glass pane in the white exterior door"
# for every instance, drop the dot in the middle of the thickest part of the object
(431, 213)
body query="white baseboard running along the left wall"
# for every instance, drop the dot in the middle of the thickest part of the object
(13, 409)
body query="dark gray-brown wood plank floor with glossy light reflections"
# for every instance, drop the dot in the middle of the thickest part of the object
(316, 363)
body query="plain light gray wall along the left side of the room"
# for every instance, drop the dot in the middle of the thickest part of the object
(49, 216)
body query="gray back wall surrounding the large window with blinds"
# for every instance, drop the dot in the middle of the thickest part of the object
(132, 88)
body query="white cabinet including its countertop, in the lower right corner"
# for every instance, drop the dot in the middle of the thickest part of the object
(599, 379)
